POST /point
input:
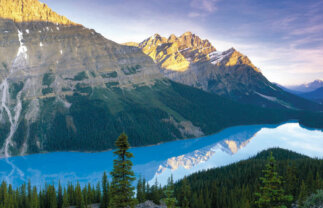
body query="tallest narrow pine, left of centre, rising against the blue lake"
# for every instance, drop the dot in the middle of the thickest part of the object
(122, 191)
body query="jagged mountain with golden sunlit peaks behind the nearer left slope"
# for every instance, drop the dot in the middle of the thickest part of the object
(192, 61)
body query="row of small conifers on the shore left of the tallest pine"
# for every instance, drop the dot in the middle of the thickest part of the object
(27, 196)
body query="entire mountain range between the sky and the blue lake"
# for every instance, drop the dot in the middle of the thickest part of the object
(66, 87)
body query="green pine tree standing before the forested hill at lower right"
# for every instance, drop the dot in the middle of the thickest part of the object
(272, 193)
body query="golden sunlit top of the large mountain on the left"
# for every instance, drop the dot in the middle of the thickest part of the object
(30, 11)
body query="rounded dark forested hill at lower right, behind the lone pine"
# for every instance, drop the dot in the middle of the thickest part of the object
(234, 186)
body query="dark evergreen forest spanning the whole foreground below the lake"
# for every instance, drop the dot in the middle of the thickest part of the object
(232, 186)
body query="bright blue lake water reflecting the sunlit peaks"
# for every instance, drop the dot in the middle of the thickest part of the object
(177, 158)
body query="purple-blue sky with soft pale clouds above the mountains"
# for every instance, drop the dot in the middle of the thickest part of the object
(284, 38)
